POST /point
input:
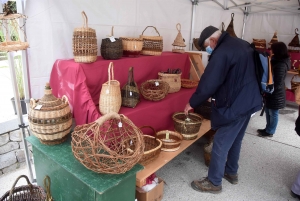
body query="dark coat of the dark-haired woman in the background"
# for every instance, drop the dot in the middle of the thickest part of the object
(276, 100)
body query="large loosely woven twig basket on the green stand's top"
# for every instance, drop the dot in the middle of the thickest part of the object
(112, 144)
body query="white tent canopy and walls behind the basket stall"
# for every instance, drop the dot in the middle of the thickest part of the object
(50, 24)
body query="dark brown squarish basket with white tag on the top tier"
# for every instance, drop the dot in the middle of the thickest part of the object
(111, 48)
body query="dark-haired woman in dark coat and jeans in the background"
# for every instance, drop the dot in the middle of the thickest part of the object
(280, 62)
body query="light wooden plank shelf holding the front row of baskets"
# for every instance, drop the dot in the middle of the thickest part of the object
(165, 157)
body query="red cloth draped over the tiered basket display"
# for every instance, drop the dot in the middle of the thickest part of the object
(82, 82)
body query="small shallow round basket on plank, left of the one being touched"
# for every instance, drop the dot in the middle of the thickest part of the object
(171, 140)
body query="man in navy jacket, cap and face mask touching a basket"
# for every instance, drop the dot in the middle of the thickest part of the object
(229, 80)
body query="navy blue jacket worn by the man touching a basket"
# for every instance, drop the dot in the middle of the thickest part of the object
(229, 78)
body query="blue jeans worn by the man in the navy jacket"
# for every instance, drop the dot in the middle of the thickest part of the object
(226, 149)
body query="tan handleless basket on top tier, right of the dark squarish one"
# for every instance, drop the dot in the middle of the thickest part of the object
(132, 47)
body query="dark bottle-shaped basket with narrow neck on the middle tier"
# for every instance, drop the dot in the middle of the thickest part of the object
(130, 93)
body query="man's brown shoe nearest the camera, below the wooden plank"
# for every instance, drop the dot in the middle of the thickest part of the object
(204, 185)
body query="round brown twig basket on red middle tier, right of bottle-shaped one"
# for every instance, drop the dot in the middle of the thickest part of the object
(154, 90)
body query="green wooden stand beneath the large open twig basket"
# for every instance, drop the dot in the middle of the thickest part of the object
(70, 180)
